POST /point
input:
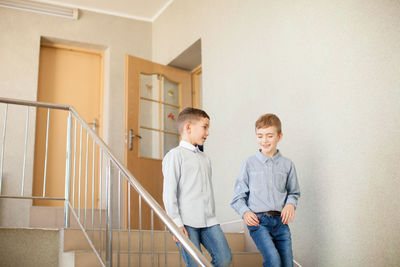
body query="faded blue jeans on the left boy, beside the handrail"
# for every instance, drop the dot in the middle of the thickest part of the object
(213, 239)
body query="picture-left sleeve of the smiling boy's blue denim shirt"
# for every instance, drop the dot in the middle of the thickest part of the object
(241, 191)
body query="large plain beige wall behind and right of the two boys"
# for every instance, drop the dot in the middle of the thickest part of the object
(331, 71)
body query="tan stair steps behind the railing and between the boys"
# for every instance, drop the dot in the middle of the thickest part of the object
(74, 243)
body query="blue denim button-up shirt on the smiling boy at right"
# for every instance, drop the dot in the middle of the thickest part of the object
(265, 184)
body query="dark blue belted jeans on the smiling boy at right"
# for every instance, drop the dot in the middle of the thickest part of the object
(273, 240)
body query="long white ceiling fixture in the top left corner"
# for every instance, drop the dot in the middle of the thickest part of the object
(41, 8)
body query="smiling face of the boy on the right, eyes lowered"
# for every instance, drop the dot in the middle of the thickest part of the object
(267, 140)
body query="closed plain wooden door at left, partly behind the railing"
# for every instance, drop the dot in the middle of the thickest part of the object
(69, 76)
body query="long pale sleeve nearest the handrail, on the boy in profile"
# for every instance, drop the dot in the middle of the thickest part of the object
(171, 172)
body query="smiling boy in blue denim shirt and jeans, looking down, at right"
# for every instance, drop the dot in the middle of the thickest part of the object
(266, 194)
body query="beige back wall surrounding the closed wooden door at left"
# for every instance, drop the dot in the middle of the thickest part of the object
(20, 34)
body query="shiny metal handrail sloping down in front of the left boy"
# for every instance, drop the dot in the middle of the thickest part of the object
(187, 244)
